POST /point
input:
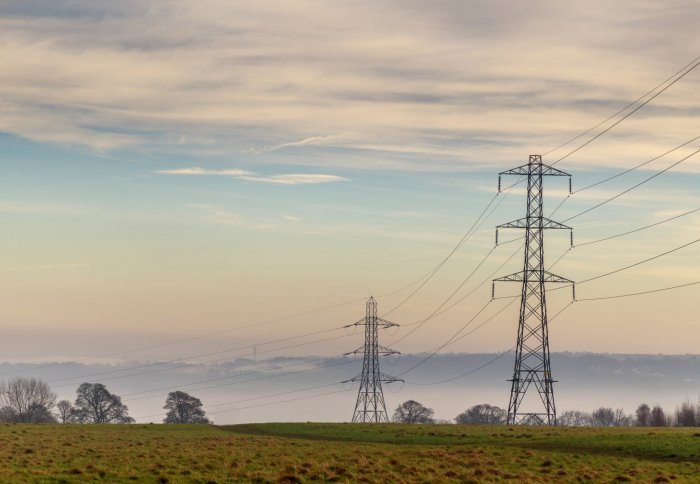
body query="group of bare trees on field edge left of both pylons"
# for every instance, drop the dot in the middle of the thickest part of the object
(30, 400)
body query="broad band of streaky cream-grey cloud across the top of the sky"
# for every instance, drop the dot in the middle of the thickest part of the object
(449, 82)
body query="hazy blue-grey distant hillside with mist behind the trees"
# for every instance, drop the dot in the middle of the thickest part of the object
(585, 381)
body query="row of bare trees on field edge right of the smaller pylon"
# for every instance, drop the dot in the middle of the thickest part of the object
(687, 414)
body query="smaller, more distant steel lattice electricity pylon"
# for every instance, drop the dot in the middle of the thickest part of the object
(370, 405)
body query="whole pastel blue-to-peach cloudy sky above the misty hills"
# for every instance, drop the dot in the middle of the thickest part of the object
(175, 169)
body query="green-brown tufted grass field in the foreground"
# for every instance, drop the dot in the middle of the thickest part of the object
(345, 453)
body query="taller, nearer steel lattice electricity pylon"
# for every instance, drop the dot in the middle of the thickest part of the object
(532, 365)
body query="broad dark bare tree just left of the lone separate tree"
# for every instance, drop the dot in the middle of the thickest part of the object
(94, 404)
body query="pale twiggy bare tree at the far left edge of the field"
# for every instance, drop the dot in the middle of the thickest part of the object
(26, 400)
